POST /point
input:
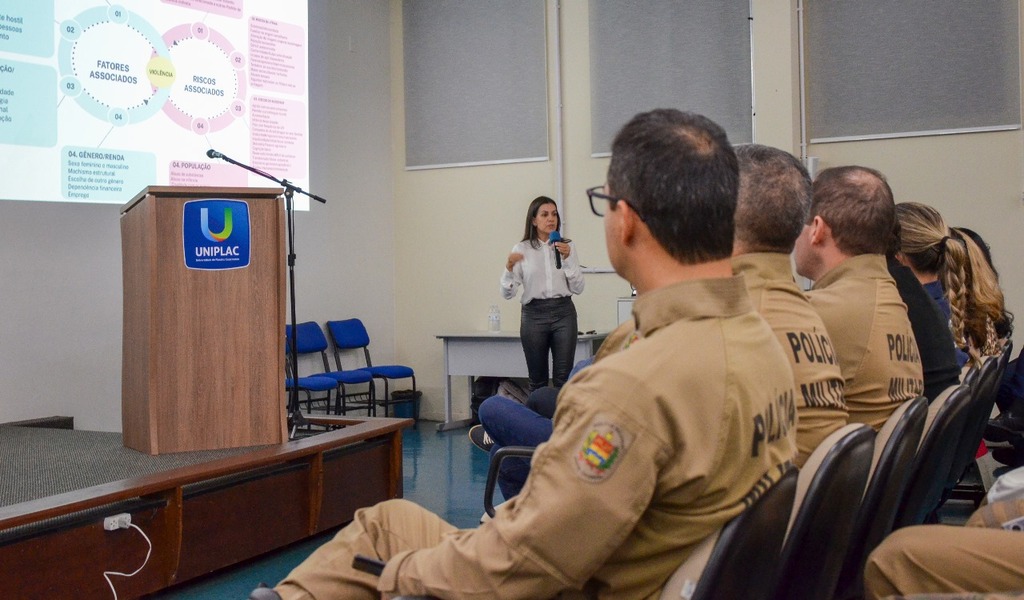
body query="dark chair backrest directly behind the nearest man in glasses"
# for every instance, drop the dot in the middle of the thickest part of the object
(738, 561)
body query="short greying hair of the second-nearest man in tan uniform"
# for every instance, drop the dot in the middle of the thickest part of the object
(775, 199)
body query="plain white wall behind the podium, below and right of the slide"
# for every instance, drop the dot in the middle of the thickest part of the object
(61, 264)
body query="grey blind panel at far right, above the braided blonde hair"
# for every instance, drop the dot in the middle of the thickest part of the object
(881, 68)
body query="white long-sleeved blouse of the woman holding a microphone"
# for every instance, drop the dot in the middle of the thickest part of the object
(538, 276)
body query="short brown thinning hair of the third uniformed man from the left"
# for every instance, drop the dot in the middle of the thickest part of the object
(858, 204)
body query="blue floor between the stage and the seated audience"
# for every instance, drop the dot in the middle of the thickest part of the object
(442, 472)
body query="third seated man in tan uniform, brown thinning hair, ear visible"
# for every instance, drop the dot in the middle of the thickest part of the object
(842, 249)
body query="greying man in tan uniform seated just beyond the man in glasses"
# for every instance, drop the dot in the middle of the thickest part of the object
(774, 203)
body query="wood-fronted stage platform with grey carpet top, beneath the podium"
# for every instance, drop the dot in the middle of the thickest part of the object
(203, 511)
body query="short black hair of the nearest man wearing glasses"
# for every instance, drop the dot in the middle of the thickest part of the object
(679, 173)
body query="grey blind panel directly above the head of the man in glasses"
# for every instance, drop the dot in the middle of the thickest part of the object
(669, 55)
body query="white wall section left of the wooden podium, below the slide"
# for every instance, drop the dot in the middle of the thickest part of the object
(61, 325)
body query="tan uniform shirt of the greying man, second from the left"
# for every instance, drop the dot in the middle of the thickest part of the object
(821, 408)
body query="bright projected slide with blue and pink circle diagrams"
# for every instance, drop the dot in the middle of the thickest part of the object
(99, 101)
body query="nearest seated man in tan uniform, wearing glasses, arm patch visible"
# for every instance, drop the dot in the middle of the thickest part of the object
(656, 446)
